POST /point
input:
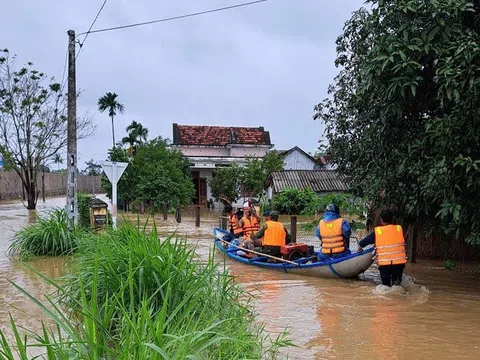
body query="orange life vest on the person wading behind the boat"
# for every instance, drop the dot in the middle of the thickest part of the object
(390, 245)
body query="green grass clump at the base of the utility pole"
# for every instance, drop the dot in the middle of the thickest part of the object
(49, 236)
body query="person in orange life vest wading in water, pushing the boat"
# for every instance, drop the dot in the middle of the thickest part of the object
(390, 249)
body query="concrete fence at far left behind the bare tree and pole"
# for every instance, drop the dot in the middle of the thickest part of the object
(55, 185)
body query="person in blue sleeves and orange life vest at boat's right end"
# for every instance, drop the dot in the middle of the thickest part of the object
(334, 233)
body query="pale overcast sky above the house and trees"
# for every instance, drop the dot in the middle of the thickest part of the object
(262, 65)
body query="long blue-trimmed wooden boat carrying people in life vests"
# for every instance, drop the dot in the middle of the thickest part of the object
(348, 266)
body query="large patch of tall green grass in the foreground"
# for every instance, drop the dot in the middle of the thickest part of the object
(131, 296)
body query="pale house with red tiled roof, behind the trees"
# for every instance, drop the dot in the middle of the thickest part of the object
(209, 147)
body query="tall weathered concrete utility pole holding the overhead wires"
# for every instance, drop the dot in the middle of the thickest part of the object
(72, 205)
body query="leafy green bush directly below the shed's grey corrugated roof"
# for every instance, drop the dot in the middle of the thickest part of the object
(293, 201)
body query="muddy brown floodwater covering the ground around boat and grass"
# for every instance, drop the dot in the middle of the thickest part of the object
(436, 317)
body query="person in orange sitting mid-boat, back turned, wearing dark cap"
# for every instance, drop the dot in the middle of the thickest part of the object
(272, 235)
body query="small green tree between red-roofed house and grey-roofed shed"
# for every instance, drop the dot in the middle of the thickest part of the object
(256, 171)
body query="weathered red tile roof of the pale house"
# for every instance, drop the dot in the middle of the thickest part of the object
(219, 135)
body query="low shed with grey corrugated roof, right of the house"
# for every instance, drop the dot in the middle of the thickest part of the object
(320, 181)
